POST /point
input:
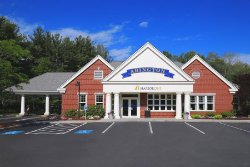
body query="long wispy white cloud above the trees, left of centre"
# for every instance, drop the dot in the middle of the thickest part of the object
(105, 37)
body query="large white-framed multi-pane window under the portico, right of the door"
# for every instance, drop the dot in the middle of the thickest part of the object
(161, 102)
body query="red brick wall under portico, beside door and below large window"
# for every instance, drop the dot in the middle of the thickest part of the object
(143, 105)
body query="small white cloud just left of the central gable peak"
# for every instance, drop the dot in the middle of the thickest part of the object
(120, 54)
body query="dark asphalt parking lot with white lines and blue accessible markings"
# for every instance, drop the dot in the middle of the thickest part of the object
(115, 144)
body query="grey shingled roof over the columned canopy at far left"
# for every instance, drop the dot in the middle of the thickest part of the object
(46, 83)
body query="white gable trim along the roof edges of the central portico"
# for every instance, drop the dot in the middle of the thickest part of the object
(141, 50)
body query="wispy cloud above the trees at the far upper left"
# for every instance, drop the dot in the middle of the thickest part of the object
(25, 28)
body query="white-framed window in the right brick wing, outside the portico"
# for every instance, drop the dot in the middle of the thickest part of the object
(202, 103)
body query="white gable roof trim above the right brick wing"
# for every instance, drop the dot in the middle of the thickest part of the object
(232, 89)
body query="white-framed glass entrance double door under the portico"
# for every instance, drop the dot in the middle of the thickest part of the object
(129, 107)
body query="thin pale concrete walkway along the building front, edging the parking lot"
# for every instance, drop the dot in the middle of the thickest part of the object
(153, 120)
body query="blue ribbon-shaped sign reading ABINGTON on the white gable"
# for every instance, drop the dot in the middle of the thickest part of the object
(148, 69)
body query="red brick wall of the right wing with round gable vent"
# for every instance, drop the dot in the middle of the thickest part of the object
(210, 83)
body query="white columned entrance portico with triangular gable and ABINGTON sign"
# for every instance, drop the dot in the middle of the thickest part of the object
(147, 72)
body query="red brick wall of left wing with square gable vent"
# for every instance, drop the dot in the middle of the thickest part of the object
(88, 85)
